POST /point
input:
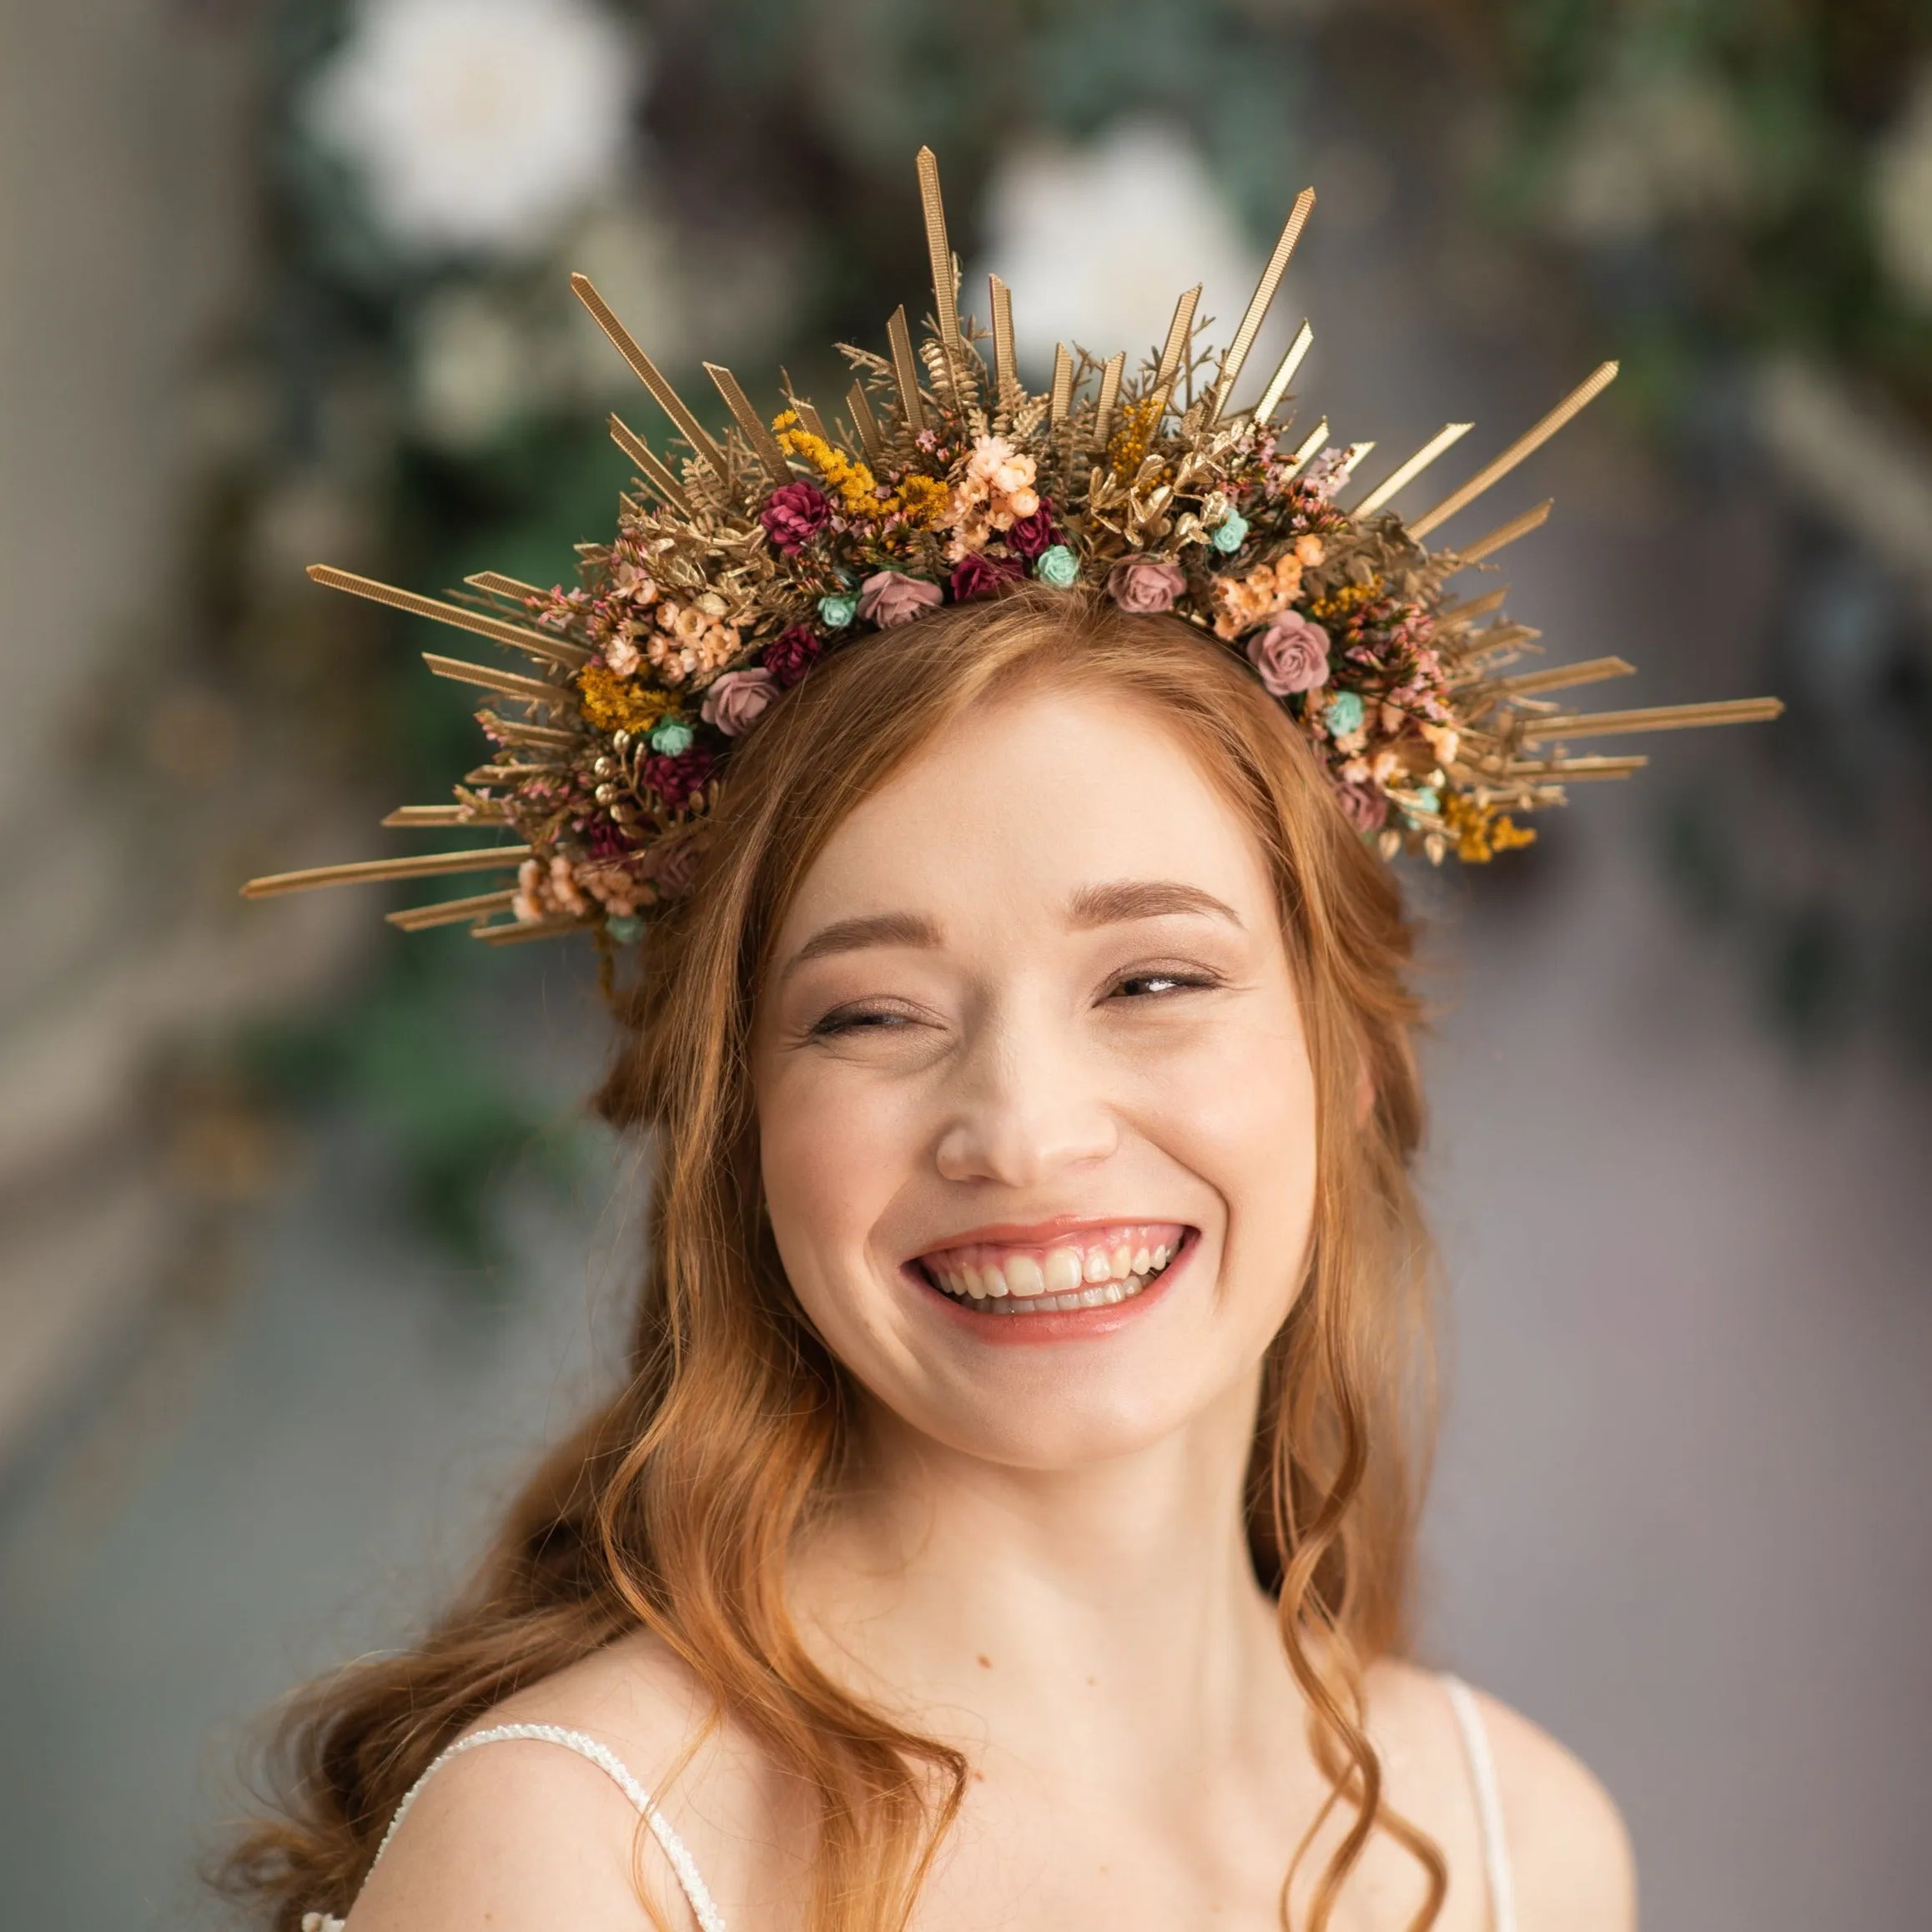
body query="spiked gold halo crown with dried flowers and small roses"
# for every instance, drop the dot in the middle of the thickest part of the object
(747, 557)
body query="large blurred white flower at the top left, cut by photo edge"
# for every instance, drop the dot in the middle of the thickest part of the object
(480, 125)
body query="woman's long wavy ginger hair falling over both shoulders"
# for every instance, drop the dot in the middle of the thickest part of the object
(675, 1508)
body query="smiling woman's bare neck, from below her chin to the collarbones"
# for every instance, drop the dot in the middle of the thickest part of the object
(953, 1583)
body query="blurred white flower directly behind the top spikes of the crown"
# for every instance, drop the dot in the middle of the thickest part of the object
(1096, 244)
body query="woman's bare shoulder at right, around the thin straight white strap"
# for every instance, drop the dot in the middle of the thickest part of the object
(1568, 1848)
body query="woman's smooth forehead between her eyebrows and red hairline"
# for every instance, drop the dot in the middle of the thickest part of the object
(1025, 803)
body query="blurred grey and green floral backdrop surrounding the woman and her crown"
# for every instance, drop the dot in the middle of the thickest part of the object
(304, 1241)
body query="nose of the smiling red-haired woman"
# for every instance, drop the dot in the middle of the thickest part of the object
(1025, 1108)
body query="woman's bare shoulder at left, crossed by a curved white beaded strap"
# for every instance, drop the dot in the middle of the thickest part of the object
(530, 1836)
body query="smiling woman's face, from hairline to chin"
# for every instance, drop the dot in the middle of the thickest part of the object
(1037, 1112)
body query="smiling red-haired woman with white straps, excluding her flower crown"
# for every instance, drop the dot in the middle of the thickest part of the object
(1009, 1516)
